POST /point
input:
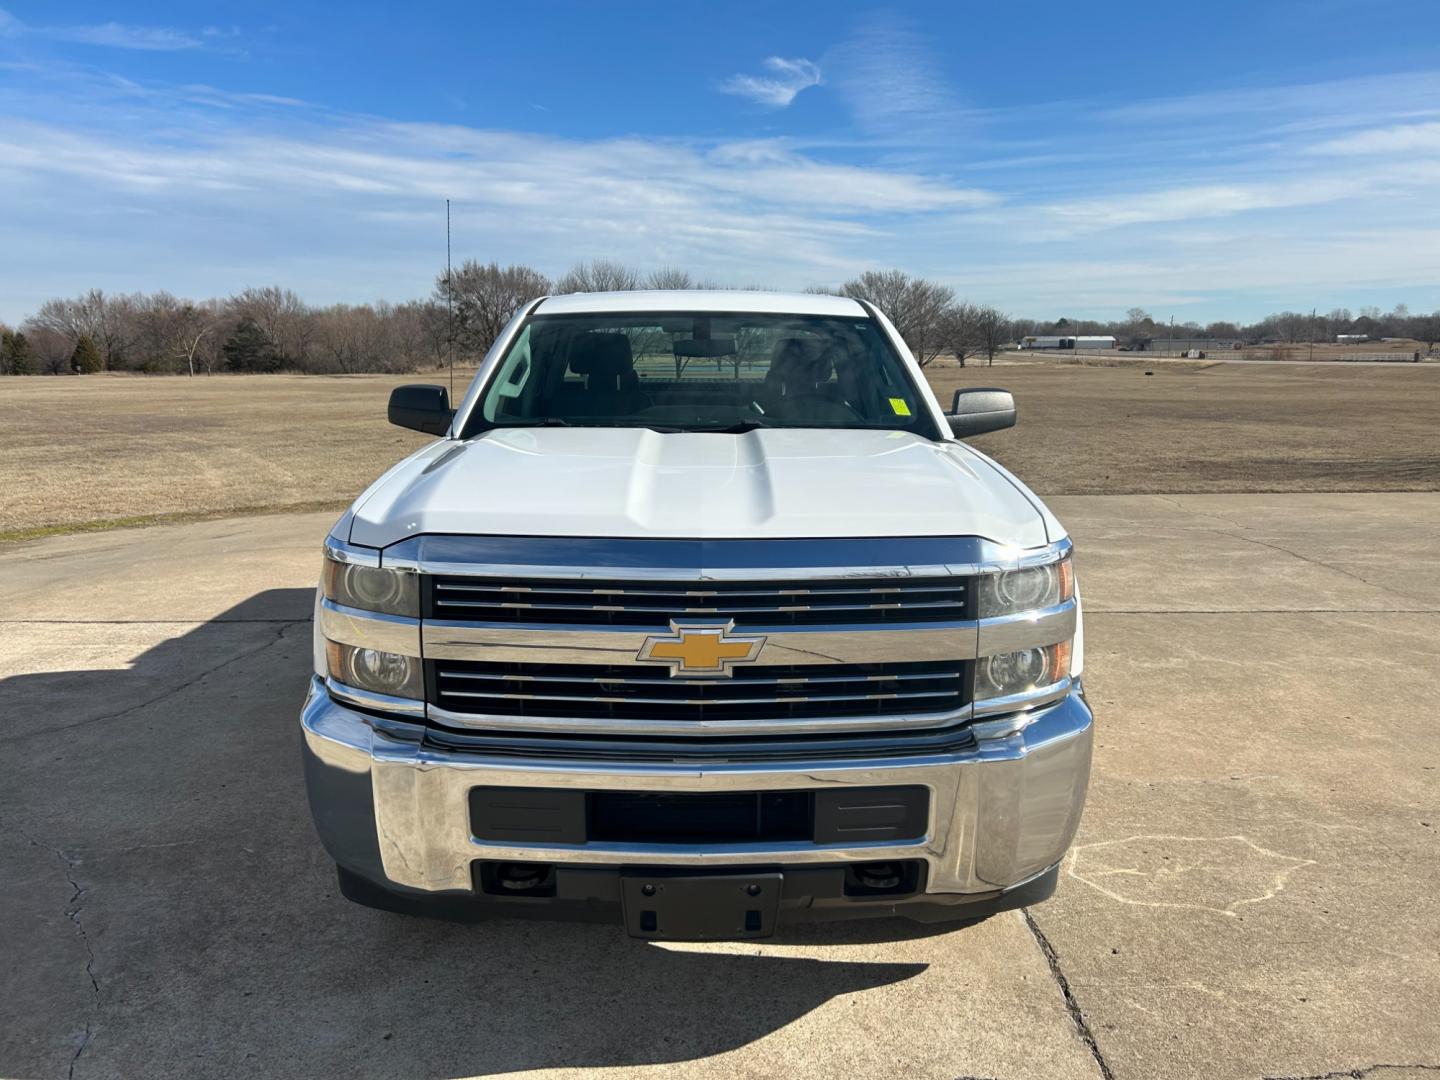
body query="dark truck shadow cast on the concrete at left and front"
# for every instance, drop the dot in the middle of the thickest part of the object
(172, 912)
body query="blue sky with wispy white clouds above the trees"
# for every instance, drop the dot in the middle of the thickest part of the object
(1199, 161)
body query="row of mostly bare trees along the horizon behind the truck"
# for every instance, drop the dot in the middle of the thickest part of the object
(274, 330)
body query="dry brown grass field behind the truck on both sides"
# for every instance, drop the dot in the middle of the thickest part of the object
(125, 450)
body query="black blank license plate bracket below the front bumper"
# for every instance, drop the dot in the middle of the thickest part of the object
(701, 908)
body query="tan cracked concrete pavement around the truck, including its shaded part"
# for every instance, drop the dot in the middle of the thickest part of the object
(1254, 892)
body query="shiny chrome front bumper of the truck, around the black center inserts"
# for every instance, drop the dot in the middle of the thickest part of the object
(395, 811)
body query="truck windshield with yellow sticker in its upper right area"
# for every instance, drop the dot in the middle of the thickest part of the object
(702, 372)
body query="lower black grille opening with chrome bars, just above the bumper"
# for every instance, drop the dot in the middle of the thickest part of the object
(760, 693)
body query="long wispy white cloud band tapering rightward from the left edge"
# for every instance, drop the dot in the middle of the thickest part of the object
(636, 178)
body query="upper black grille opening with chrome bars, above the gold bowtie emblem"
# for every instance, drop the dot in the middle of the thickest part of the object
(839, 603)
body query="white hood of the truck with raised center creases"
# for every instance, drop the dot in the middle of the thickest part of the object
(639, 483)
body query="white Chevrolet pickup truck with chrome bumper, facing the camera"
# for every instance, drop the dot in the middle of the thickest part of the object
(698, 617)
